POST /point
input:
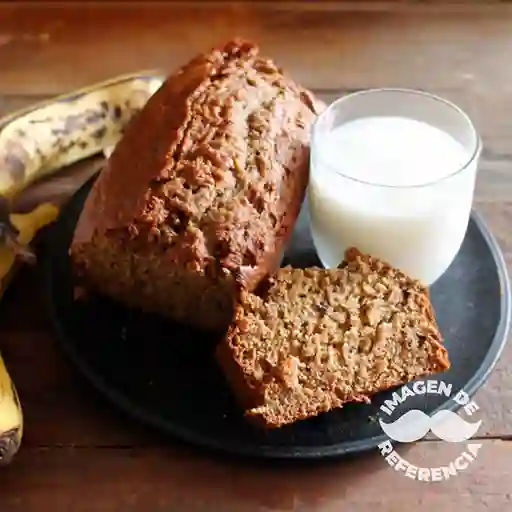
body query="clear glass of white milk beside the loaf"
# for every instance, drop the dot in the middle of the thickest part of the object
(393, 174)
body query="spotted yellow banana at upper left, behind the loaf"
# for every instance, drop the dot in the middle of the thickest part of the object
(47, 136)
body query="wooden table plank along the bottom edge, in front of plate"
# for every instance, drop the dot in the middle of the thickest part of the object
(174, 480)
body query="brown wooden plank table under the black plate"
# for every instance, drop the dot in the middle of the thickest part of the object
(81, 455)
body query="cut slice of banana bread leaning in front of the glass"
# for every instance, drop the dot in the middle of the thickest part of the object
(315, 339)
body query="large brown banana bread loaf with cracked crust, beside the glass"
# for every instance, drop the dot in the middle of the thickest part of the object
(199, 197)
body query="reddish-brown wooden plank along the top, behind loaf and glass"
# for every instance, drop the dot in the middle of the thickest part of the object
(40, 53)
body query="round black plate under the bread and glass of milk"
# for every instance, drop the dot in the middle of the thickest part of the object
(154, 369)
